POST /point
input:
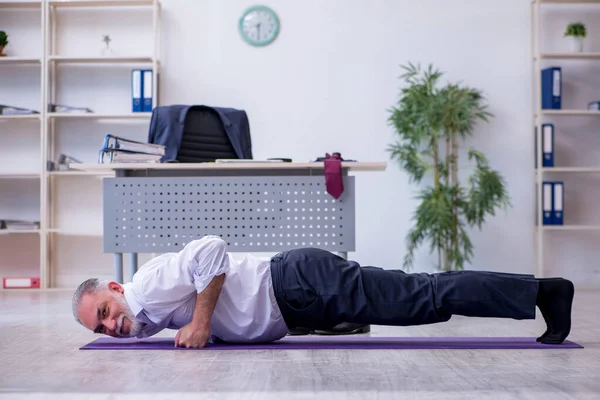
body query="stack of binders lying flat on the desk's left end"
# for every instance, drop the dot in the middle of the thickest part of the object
(117, 150)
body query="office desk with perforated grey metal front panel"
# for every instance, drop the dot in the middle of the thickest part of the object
(254, 207)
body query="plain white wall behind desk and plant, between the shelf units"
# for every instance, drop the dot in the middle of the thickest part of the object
(326, 85)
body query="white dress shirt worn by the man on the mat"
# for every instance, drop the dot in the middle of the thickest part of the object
(162, 294)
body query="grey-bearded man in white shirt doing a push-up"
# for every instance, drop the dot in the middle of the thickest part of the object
(206, 294)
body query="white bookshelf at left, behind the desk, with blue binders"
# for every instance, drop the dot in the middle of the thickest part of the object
(68, 204)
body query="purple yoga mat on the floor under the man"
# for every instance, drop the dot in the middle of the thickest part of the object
(338, 342)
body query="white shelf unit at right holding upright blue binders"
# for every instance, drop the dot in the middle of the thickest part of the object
(557, 57)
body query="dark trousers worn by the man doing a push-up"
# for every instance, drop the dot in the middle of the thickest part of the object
(318, 289)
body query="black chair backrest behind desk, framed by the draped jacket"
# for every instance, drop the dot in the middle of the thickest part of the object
(204, 138)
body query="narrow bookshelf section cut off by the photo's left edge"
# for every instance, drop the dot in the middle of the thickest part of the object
(20, 175)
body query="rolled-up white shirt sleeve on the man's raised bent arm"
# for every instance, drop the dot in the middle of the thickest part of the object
(204, 259)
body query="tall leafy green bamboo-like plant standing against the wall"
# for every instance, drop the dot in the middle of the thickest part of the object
(431, 123)
